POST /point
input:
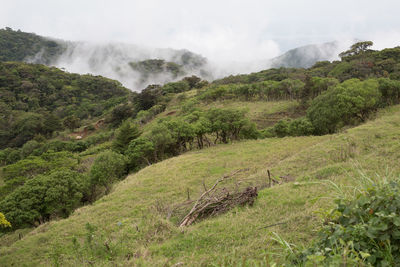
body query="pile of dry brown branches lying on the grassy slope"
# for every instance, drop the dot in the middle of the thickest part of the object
(216, 201)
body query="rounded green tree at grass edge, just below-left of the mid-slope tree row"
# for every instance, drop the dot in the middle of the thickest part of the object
(108, 167)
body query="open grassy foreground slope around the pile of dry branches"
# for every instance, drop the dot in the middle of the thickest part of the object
(132, 222)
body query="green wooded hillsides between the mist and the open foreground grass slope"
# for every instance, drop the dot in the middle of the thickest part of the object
(66, 139)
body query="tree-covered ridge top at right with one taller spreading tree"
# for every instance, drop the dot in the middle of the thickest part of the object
(358, 62)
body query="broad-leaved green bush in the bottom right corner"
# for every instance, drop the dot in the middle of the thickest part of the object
(366, 226)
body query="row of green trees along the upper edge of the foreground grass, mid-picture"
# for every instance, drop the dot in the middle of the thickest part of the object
(172, 136)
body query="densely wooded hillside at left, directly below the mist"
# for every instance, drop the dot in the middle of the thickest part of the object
(35, 99)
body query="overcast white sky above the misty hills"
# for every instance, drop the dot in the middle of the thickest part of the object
(243, 30)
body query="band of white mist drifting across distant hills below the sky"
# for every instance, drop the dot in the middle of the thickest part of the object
(117, 61)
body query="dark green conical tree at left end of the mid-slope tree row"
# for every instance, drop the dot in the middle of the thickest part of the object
(125, 134)
